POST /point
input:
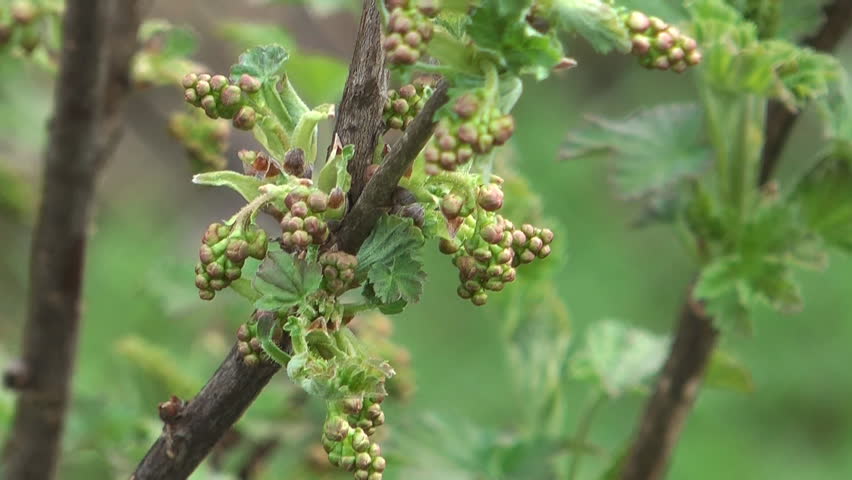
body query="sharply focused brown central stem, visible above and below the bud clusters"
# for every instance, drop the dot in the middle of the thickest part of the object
(190, 436)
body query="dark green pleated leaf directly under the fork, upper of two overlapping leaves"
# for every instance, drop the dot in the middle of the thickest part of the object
(393, 237)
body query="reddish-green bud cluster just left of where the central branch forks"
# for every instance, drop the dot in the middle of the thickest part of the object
(304, 225)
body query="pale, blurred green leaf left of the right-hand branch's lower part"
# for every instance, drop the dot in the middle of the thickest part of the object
(619, 358)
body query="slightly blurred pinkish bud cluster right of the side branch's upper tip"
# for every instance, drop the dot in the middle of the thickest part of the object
(474, 129)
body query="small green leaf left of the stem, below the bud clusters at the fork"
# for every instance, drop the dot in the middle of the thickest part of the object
(284, 281)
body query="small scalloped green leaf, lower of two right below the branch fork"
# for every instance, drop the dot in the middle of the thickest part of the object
(400, 279)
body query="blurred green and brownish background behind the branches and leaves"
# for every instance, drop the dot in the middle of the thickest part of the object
(145, 335)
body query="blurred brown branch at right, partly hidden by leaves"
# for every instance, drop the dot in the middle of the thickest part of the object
(695, 339)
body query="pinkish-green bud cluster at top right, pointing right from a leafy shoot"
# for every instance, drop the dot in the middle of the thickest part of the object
(659, 45)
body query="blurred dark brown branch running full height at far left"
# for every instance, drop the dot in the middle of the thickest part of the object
(98, 41)
